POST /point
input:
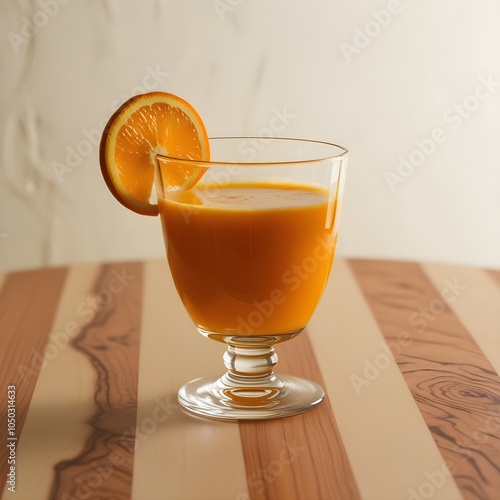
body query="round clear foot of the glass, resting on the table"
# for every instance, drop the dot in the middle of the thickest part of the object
(216, 398)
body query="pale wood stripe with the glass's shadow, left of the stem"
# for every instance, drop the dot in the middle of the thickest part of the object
(179, 456)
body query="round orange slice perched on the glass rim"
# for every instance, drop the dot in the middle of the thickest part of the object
(147, 124)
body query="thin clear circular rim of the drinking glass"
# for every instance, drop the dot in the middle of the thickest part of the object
(339, 156)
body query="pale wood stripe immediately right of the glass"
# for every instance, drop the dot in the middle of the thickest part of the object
(386, 438)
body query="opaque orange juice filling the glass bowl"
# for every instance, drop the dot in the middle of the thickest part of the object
(249, 259)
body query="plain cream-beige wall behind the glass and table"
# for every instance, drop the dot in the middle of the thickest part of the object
(411, 88)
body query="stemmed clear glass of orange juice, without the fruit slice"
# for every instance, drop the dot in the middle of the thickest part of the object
(250, 248)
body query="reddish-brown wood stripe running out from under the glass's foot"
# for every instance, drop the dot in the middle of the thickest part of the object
(302, 456)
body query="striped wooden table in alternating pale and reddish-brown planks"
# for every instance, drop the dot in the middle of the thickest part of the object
(408, 353)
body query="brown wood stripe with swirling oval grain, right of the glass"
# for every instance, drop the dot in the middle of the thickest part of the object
(454, 385)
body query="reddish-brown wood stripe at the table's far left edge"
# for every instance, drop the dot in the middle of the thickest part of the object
(28, 301)
